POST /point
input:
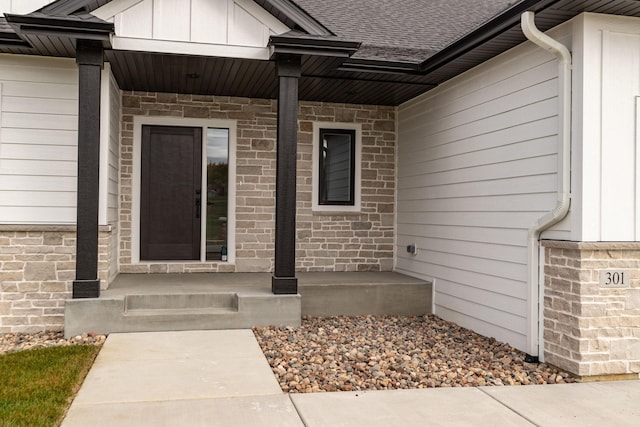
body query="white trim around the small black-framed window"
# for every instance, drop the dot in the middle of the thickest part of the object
(316, 164)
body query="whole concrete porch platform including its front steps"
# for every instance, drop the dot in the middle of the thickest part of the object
(172, 302)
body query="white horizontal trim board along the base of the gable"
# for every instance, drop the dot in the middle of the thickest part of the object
(189, 48)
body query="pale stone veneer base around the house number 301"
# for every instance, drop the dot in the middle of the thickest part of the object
(589, 329)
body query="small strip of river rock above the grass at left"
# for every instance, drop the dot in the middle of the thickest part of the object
(11, 342)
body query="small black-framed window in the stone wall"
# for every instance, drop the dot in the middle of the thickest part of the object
(337, 167)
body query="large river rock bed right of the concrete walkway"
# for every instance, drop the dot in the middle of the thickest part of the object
(390, 352)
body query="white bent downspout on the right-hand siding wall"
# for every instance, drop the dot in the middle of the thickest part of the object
(564, 170)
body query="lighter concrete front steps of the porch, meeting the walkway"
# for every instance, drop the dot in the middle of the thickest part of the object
(179, 312)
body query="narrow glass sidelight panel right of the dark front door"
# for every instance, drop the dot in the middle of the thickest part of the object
(217, 193)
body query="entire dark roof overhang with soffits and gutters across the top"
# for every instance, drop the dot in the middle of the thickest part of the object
(330, 71)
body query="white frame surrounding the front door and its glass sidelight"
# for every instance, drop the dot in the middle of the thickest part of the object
(138, 122)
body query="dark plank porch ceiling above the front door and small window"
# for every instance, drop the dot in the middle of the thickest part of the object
(151, 72)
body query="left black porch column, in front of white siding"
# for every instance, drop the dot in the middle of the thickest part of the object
(89, 58)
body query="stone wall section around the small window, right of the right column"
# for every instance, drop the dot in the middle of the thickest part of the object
(361, 241)
